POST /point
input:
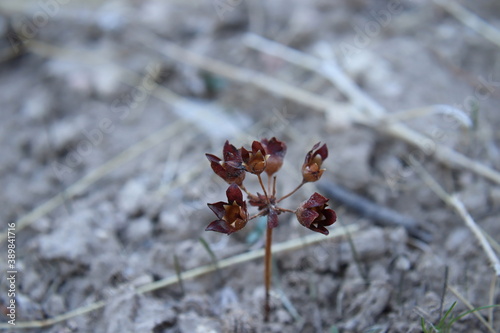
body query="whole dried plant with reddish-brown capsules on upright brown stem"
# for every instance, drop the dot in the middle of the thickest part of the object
(266, 155)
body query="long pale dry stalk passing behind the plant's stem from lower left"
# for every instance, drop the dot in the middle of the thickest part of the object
(290, 245)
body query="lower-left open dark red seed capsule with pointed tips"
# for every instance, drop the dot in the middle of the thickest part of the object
(232, 214)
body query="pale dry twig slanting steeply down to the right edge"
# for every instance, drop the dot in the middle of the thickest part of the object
(459, 207)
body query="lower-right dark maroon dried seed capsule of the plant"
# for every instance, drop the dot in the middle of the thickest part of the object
(314, 215)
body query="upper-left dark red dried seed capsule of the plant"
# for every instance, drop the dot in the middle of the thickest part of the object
(231, 168)
